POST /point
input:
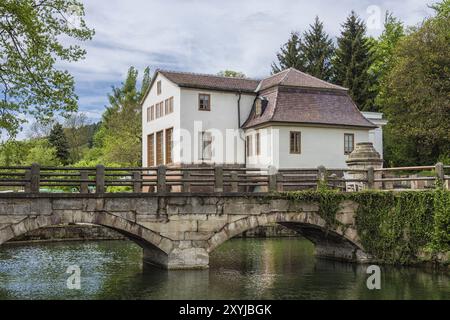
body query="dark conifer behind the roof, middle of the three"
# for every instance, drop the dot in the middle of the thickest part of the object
(317, 50)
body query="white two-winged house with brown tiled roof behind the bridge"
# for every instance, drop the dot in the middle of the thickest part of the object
(288, 120)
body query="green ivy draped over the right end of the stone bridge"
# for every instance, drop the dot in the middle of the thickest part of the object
(396, 227)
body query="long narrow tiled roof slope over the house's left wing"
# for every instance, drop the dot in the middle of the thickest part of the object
(206, 81)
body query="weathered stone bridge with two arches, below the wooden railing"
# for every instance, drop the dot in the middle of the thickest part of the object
(178, 231)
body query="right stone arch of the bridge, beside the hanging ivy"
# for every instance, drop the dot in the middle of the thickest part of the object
(337, 243)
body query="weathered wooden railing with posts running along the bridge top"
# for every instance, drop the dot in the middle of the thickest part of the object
(162, 179)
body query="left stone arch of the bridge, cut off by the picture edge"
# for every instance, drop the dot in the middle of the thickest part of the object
(144, 237)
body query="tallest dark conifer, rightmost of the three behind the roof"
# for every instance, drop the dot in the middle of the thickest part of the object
(352, 62)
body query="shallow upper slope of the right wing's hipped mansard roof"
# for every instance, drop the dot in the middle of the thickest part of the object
(294, 78)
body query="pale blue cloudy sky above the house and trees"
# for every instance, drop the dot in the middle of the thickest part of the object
(207, 36)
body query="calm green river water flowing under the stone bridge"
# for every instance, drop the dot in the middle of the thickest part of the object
(239, 269)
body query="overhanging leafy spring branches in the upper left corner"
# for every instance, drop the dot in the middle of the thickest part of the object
(31, 44)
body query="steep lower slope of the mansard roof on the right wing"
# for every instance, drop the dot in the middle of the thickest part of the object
(309, 106)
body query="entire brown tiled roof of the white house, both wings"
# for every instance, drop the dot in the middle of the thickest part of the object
(293, 97)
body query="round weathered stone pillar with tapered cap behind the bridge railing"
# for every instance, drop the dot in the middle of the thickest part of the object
(363, 157)
